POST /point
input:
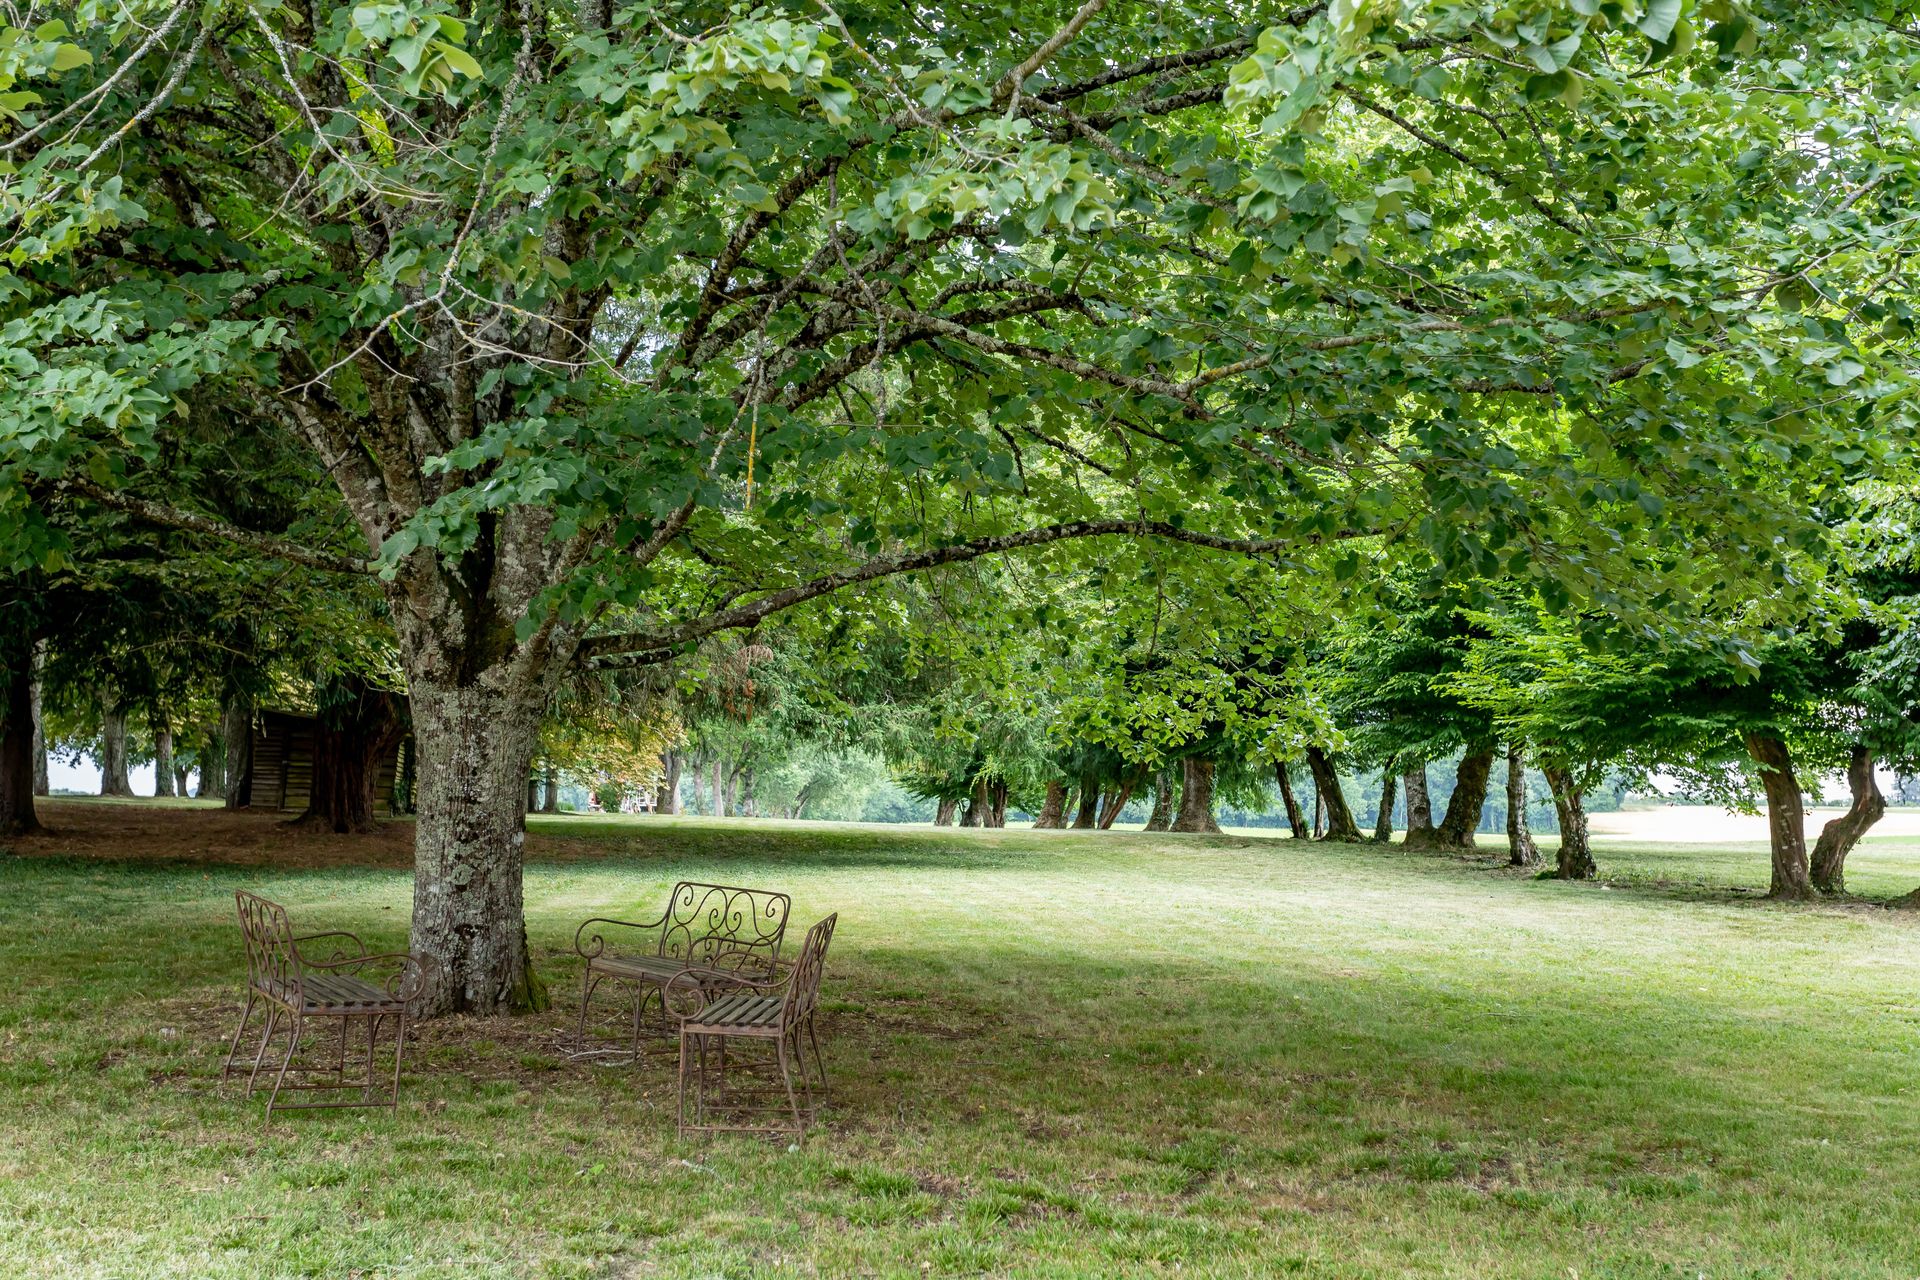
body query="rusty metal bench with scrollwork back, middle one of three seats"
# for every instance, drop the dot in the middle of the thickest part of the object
(723, 932)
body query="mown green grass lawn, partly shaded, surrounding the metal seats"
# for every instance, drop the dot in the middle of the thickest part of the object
(1055, 1056)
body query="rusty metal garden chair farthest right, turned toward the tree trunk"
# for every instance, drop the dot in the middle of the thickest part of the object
(775, 1012)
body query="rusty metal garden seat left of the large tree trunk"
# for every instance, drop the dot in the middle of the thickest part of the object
(293, 984)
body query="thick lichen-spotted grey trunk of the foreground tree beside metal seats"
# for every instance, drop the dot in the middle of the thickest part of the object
(469, 847)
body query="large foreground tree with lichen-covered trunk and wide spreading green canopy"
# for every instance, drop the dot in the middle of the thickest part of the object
(565, 339)
